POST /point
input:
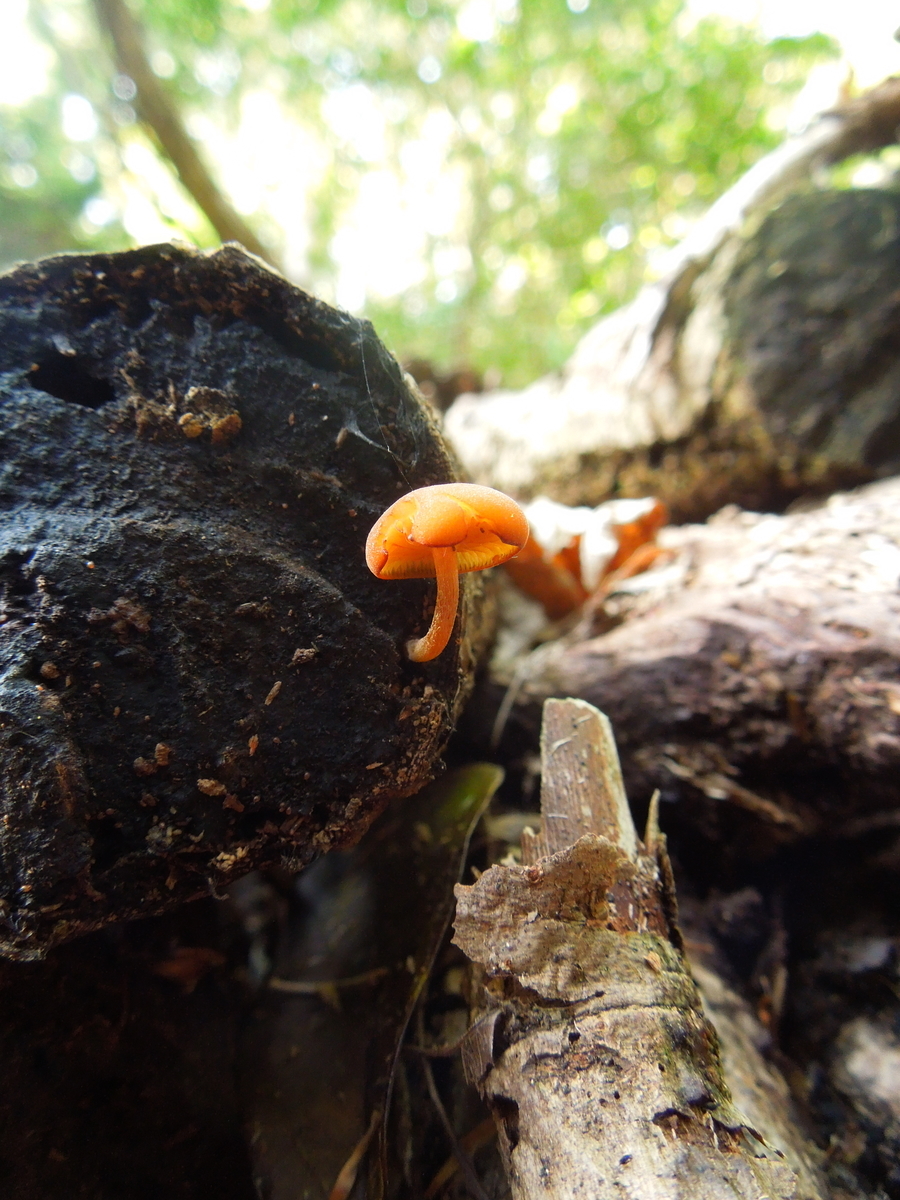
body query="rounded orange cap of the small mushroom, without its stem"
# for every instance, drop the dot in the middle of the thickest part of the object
(482, 525)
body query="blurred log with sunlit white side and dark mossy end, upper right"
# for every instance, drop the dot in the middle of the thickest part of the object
(759, 368)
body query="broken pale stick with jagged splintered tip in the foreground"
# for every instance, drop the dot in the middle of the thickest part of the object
(591, 1045)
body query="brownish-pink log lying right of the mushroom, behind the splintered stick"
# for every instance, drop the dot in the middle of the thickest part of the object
(754, 679)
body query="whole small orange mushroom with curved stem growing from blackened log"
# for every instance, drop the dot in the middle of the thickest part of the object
(439, 533)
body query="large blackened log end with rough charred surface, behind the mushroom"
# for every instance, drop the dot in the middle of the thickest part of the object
(199, 674)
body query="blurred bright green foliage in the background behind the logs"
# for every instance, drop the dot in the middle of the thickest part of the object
(574, 147)
